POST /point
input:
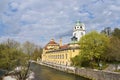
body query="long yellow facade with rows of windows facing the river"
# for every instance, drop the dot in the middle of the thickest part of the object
(61, 57)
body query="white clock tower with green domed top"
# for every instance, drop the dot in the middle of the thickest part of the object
(79, 30)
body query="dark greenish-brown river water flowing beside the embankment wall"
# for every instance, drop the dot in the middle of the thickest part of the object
(46, 73)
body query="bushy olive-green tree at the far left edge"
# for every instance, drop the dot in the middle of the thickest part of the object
(9, 54)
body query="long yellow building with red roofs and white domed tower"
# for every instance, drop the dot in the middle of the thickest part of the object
(56, 53)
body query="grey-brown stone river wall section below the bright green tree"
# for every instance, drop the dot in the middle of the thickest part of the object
(97, 74)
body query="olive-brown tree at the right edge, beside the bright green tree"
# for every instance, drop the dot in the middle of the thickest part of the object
(113, 52)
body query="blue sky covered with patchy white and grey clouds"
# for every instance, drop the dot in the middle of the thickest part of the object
(39, 21)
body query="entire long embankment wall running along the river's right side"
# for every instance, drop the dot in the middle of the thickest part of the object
(88, 73)
